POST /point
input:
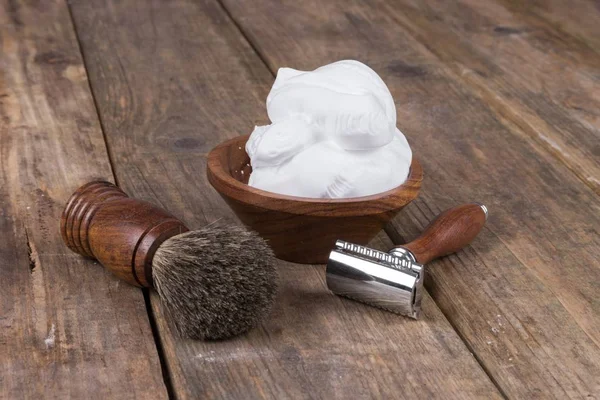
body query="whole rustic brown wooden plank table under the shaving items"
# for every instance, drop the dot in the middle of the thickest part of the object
(500, 101)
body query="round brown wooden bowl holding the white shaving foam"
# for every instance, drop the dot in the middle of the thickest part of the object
(299, 229)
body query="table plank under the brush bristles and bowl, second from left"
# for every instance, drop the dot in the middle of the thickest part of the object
(172, 81)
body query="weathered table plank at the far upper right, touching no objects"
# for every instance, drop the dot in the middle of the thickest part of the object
(543, 80)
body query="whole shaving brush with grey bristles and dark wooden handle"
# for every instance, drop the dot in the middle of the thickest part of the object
(215, 282)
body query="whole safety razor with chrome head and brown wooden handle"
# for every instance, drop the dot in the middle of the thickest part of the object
(393, 281)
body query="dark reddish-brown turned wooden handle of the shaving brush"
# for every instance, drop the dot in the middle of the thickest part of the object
(122, 233)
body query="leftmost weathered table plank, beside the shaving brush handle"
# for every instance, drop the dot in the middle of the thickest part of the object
(67, 328)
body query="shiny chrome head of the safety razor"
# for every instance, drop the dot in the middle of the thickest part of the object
(391, 281)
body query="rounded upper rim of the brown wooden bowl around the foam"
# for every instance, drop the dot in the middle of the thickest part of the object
(230, 187)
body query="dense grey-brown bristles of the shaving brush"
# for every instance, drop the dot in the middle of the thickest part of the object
(215, 282)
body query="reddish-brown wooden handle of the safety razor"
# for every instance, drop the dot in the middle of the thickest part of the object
(449, 232)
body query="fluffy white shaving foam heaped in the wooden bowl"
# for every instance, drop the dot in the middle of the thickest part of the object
(333, 135)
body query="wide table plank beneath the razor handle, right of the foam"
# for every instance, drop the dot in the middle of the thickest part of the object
(525, 295)
